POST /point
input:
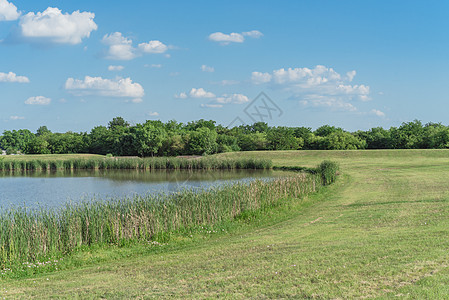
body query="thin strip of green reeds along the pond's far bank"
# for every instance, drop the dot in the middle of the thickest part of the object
(153, 163)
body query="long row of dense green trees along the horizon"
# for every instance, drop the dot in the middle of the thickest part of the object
(156, 138)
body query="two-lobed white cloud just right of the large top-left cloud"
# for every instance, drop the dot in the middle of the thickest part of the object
(121, 48)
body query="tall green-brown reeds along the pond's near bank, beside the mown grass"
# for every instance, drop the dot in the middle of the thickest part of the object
(34, 235)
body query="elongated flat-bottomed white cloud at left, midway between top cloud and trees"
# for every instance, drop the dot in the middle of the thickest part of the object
(119, 87)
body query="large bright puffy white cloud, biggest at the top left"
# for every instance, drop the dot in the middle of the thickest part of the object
(53, 26)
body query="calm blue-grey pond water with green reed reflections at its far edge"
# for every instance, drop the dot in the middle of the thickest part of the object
(56, 188)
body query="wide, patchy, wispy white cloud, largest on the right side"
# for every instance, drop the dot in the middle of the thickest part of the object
(318, 86)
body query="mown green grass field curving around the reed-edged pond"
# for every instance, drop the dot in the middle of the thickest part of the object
(380, 232)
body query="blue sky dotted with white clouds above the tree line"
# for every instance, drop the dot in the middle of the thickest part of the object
(74, 65)
